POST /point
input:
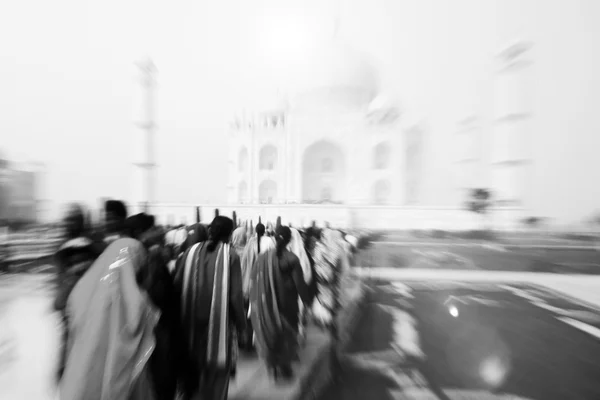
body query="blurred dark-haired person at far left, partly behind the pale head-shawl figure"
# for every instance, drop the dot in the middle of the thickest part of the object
(72, 259)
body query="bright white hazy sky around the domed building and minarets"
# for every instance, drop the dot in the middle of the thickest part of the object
(68, 81)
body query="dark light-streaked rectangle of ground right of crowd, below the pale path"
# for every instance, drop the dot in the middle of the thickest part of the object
(423, 340)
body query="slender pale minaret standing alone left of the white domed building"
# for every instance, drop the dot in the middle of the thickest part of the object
(144, 159)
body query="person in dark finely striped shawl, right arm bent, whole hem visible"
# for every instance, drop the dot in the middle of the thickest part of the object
(277, 282)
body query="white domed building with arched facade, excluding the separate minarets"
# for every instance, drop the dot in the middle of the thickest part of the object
(335, 140)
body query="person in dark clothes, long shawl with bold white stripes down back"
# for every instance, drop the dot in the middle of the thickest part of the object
(212, 313)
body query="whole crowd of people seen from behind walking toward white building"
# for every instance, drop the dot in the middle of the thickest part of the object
(162, 313)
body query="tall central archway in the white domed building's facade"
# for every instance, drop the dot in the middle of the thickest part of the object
(323, 173)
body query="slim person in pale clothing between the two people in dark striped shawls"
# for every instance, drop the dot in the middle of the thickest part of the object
(257, 245)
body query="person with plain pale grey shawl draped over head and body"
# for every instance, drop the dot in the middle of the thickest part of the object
(111, 330)
